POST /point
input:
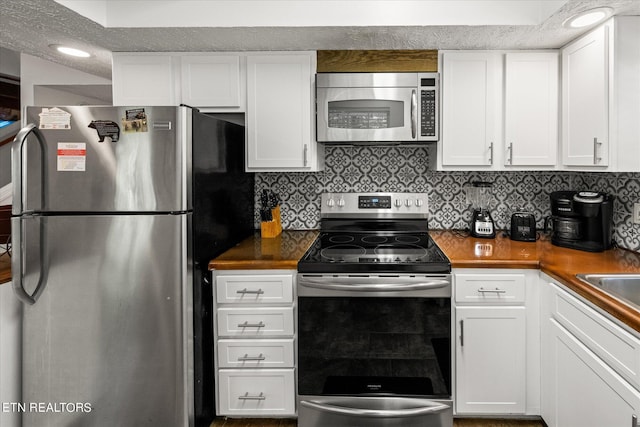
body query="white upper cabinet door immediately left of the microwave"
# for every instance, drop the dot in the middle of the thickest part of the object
(279, 112)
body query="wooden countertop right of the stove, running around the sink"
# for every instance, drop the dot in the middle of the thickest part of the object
(560, 263)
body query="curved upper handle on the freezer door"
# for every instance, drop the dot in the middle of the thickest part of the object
(17, 163)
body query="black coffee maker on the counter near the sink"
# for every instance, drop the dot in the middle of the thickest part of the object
(581, 220)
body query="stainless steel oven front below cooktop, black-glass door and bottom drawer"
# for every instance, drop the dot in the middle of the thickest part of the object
(374, 350)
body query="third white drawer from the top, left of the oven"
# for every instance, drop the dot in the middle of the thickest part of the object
(255, 353)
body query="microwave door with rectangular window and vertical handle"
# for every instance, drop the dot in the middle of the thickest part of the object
(367, 114)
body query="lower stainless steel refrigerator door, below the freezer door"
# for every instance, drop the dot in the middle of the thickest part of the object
(108, 340)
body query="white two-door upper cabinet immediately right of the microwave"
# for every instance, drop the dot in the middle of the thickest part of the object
(499, 110)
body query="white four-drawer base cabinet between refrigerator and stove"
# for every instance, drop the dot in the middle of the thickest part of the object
(255, 342)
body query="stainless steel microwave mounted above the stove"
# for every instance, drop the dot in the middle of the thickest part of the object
(370, 108)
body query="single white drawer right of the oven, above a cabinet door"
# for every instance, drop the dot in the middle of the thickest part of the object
(490, 288)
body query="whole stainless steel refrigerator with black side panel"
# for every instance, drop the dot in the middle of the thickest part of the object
(116, 211)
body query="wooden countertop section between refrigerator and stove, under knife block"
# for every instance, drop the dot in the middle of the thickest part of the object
(255, 253)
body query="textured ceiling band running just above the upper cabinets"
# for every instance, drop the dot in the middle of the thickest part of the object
(30, 26)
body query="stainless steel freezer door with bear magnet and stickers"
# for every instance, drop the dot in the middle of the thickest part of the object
(102, 159)
